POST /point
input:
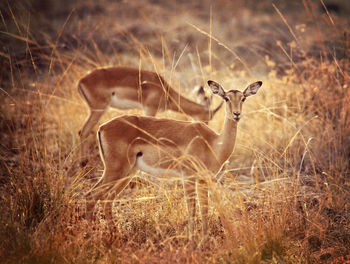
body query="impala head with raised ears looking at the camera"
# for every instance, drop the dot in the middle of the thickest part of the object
(234, 98)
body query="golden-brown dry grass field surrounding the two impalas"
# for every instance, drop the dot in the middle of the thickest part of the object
(285, 197)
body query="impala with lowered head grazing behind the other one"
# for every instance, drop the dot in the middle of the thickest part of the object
(131, 88)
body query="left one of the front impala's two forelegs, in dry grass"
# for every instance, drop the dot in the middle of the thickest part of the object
(190, 191)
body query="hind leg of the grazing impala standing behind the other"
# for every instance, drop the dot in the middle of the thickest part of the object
(92, 120)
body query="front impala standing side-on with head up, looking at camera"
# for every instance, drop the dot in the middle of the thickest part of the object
(166, 147)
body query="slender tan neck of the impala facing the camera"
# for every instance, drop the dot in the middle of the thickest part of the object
(226, 140)
